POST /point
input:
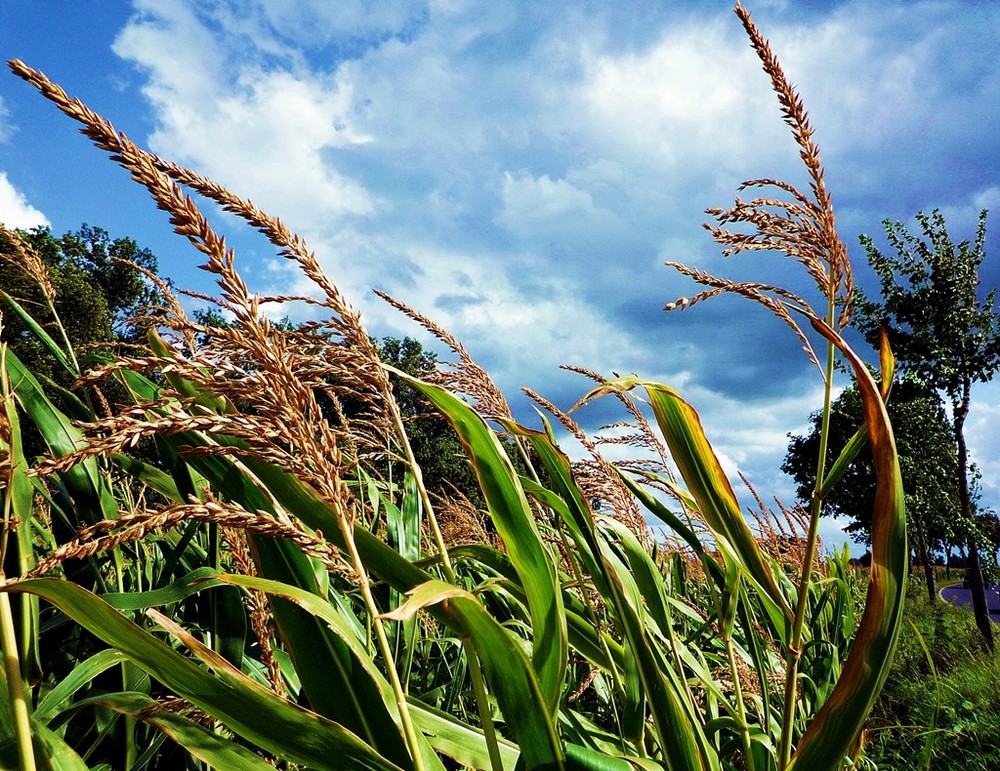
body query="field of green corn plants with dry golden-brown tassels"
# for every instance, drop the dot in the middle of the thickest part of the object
(227, 556)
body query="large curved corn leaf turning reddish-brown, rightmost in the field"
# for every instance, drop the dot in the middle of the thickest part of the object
(832, 733)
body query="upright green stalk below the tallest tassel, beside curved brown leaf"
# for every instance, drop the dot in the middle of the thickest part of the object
(815, 508)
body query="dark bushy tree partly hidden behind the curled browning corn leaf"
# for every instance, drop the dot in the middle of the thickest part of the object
(926, 448)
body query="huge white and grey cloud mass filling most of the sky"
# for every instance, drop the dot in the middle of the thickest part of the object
(496, 166)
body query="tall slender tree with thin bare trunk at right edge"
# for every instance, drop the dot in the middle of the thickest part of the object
(943, 334)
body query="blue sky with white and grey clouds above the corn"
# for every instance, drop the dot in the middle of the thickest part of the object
(520, 171)
